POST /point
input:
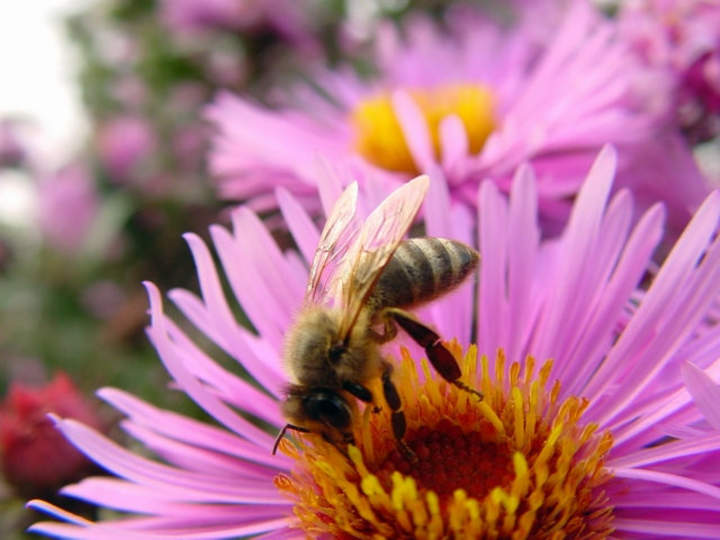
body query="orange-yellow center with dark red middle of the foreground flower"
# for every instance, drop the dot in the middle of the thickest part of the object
(515, 465)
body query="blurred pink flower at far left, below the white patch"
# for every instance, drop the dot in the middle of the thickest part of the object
(67, 206)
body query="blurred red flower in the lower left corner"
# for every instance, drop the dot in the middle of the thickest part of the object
(36, 458)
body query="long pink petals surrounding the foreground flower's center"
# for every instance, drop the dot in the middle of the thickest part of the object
(573, 299)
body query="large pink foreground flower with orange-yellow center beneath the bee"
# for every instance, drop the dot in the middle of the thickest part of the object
(605, 439)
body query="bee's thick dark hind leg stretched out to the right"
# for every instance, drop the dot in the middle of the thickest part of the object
(440, 357)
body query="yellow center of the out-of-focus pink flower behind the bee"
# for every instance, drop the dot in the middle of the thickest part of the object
(379, 137)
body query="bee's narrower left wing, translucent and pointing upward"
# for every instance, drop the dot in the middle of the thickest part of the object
(336, 237)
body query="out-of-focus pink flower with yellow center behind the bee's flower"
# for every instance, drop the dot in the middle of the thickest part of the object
(467, 106)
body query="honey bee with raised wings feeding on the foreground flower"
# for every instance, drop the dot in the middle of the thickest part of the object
(333, 350)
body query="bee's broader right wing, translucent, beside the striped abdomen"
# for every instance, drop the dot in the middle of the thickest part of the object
(376, 242)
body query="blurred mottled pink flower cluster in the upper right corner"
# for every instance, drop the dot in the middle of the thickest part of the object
(681, 39)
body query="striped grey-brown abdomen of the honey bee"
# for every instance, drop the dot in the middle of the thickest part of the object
(422, 269)
